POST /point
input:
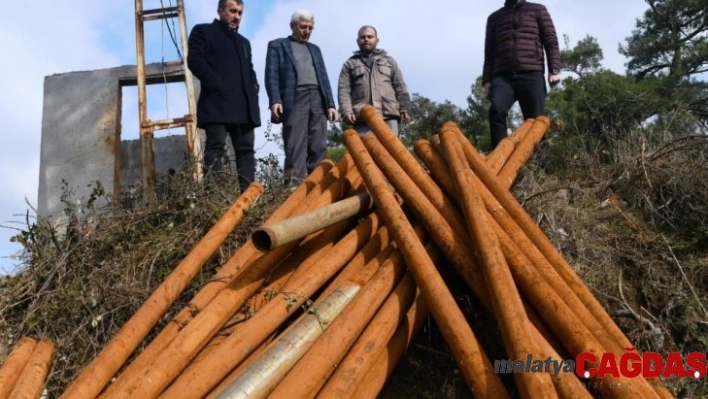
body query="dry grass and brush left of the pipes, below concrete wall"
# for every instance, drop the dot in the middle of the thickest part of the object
(81, 281)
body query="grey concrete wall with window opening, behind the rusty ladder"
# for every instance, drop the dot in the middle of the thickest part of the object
(81, 135)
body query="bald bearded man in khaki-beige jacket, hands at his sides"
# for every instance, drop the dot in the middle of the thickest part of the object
(371, 76)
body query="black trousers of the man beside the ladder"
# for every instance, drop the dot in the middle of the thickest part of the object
(242, 139)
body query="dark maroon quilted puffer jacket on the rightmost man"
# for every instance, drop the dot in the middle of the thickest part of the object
(517, 35)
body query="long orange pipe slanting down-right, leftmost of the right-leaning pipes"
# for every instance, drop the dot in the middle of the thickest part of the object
(473, 362)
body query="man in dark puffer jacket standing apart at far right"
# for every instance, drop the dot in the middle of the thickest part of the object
(517, 36)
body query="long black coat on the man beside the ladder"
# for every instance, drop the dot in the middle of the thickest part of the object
(221, 60)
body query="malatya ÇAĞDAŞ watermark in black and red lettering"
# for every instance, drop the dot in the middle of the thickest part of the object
(630, 364)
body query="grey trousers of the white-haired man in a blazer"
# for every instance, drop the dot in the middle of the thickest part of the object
(304, 135)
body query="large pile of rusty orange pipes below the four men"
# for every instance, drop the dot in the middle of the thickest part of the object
(329, 314)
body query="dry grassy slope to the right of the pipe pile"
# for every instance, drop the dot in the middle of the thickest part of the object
(635, 232)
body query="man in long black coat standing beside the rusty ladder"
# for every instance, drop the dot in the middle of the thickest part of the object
(220, 58)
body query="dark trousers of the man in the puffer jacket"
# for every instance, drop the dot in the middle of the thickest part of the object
(529, 88)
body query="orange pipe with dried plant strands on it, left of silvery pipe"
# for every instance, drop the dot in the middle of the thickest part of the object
(202, 376)
